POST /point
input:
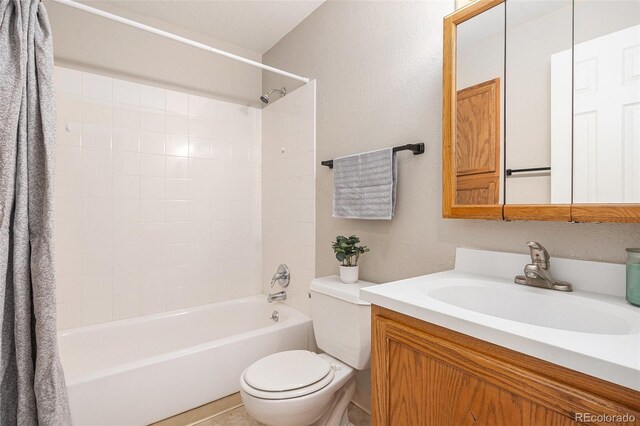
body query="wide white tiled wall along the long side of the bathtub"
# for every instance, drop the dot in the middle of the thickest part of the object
(157, 199)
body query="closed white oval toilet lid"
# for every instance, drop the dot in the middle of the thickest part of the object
(285, 371)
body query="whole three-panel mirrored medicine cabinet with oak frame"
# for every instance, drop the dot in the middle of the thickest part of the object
(541, 111)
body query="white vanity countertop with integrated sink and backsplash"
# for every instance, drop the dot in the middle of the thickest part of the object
(593, 330)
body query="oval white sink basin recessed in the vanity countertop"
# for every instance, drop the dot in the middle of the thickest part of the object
(528, 306)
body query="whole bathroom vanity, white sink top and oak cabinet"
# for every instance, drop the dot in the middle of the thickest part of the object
(470, 346)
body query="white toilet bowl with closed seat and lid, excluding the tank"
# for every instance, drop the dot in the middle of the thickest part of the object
(295, 388)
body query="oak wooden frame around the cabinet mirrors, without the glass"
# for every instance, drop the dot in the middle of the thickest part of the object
(629, 213)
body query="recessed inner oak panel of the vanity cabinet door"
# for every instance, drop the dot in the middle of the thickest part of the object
(425, 390)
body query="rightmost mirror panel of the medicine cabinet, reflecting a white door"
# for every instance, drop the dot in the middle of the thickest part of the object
(606, 102)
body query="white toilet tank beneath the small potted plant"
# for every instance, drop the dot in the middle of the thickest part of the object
(341, 320)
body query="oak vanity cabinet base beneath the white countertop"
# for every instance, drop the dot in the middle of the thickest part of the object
(423, 374)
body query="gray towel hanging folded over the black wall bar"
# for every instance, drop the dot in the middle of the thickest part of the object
(364, 185)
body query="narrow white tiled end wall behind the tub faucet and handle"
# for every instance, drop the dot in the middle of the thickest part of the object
(288, 192)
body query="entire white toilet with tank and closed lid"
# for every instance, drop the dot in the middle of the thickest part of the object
(299, 387)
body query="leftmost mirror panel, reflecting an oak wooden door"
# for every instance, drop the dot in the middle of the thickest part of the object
(479, 109)
